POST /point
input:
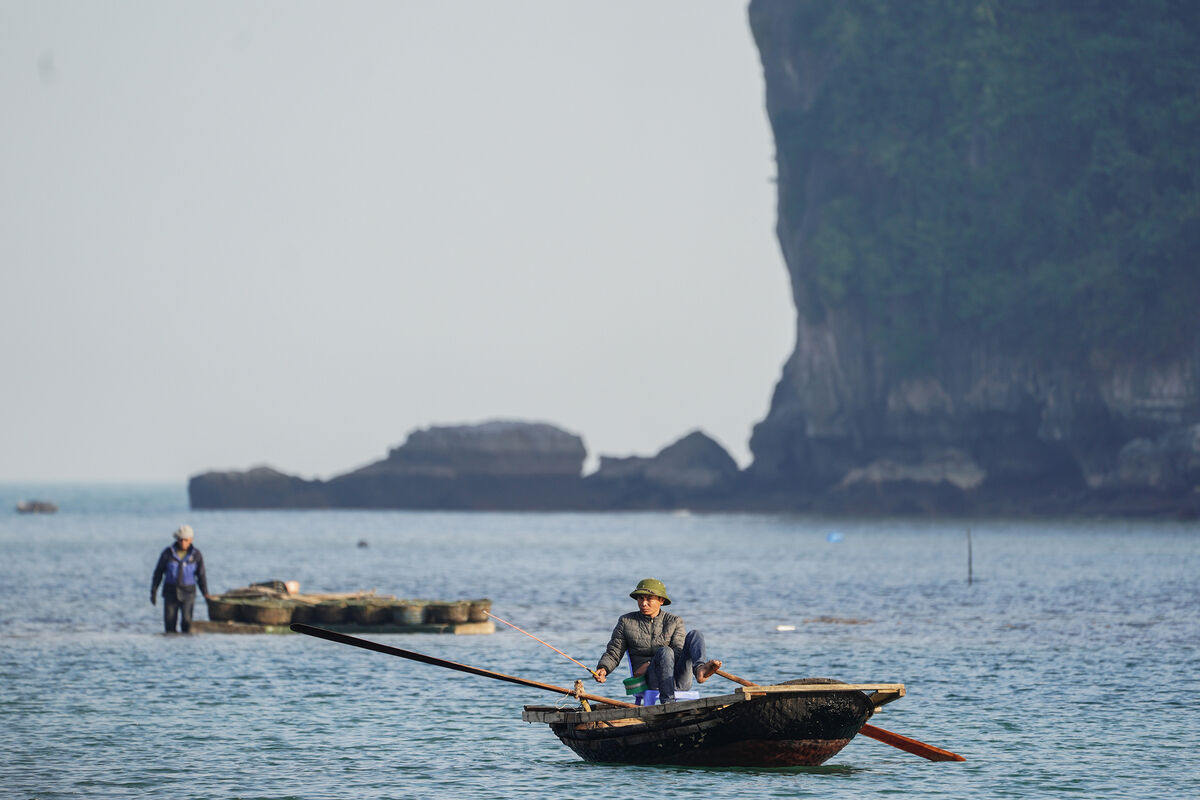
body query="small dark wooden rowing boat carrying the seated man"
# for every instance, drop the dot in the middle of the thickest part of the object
(799, 724)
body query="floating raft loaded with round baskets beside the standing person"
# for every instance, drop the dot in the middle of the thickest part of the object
(272, 607)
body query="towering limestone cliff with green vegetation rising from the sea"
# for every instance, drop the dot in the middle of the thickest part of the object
(989, 216)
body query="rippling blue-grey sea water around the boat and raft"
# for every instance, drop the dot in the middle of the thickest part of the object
(1065, 670)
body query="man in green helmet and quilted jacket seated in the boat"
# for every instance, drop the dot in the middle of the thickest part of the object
(657, 645)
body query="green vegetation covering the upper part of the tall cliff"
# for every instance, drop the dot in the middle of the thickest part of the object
(1017, 170)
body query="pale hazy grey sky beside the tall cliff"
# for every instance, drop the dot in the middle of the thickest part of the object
(290, 233)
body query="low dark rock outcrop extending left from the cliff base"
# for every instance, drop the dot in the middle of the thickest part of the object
(495, 466)
